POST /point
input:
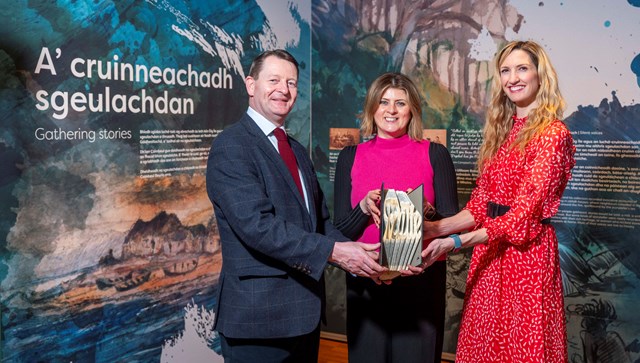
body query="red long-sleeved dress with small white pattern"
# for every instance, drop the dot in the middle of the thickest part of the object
(513, 309)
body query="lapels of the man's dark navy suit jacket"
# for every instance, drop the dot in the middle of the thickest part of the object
(263, 143)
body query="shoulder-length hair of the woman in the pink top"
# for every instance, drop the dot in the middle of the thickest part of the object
(372, 102)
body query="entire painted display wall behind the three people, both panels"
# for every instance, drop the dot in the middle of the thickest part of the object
(108, 246)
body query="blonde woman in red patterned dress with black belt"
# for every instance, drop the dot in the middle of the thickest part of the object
(513, 309)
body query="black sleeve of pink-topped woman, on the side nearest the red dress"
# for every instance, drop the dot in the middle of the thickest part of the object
(445, 185)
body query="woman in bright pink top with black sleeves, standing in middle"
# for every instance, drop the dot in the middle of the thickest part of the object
(402, 321)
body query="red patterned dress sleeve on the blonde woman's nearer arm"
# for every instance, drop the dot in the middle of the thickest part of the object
(548, 164)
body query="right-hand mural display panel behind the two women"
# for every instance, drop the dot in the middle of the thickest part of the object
(447, 49)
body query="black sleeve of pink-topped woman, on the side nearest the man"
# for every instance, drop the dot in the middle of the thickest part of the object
(351, 221)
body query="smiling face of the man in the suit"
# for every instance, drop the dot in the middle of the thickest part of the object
(273, 93)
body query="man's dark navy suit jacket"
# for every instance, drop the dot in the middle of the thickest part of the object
(274, 250)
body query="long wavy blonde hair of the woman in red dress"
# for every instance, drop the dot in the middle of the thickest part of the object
(550, 103)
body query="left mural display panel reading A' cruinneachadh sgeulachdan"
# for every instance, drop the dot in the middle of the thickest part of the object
(108, 246)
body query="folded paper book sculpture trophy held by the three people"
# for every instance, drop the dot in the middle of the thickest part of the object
(400, 230)
